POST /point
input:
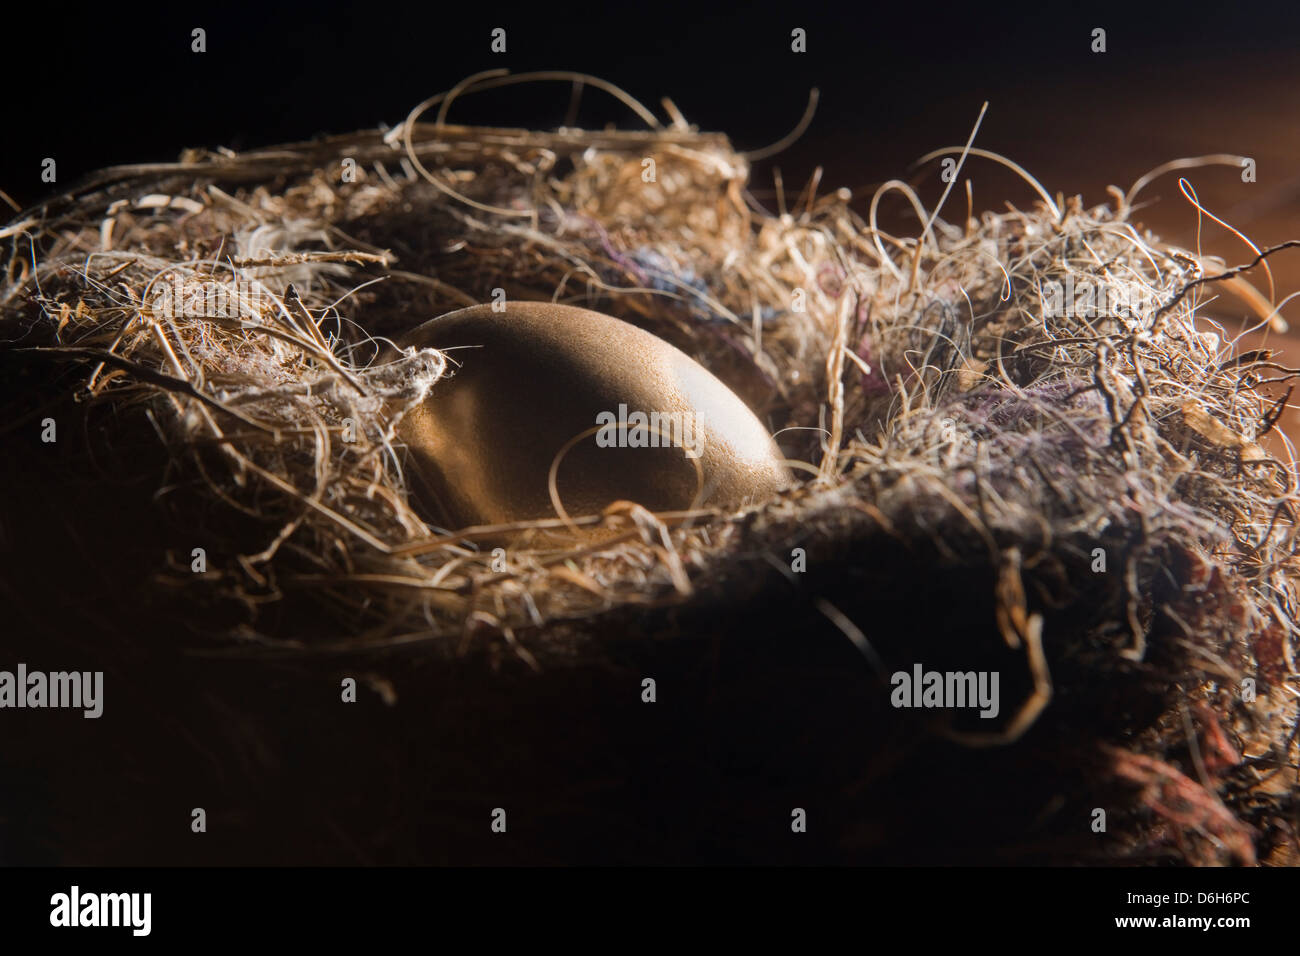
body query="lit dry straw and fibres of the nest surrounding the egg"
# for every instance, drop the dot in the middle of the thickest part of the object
(941, 399)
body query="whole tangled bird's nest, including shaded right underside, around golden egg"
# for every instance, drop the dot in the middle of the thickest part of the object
(991, 478)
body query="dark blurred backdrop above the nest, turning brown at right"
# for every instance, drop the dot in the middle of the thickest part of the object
(120, 85)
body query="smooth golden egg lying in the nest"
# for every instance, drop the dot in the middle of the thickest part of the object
(616, 412)
